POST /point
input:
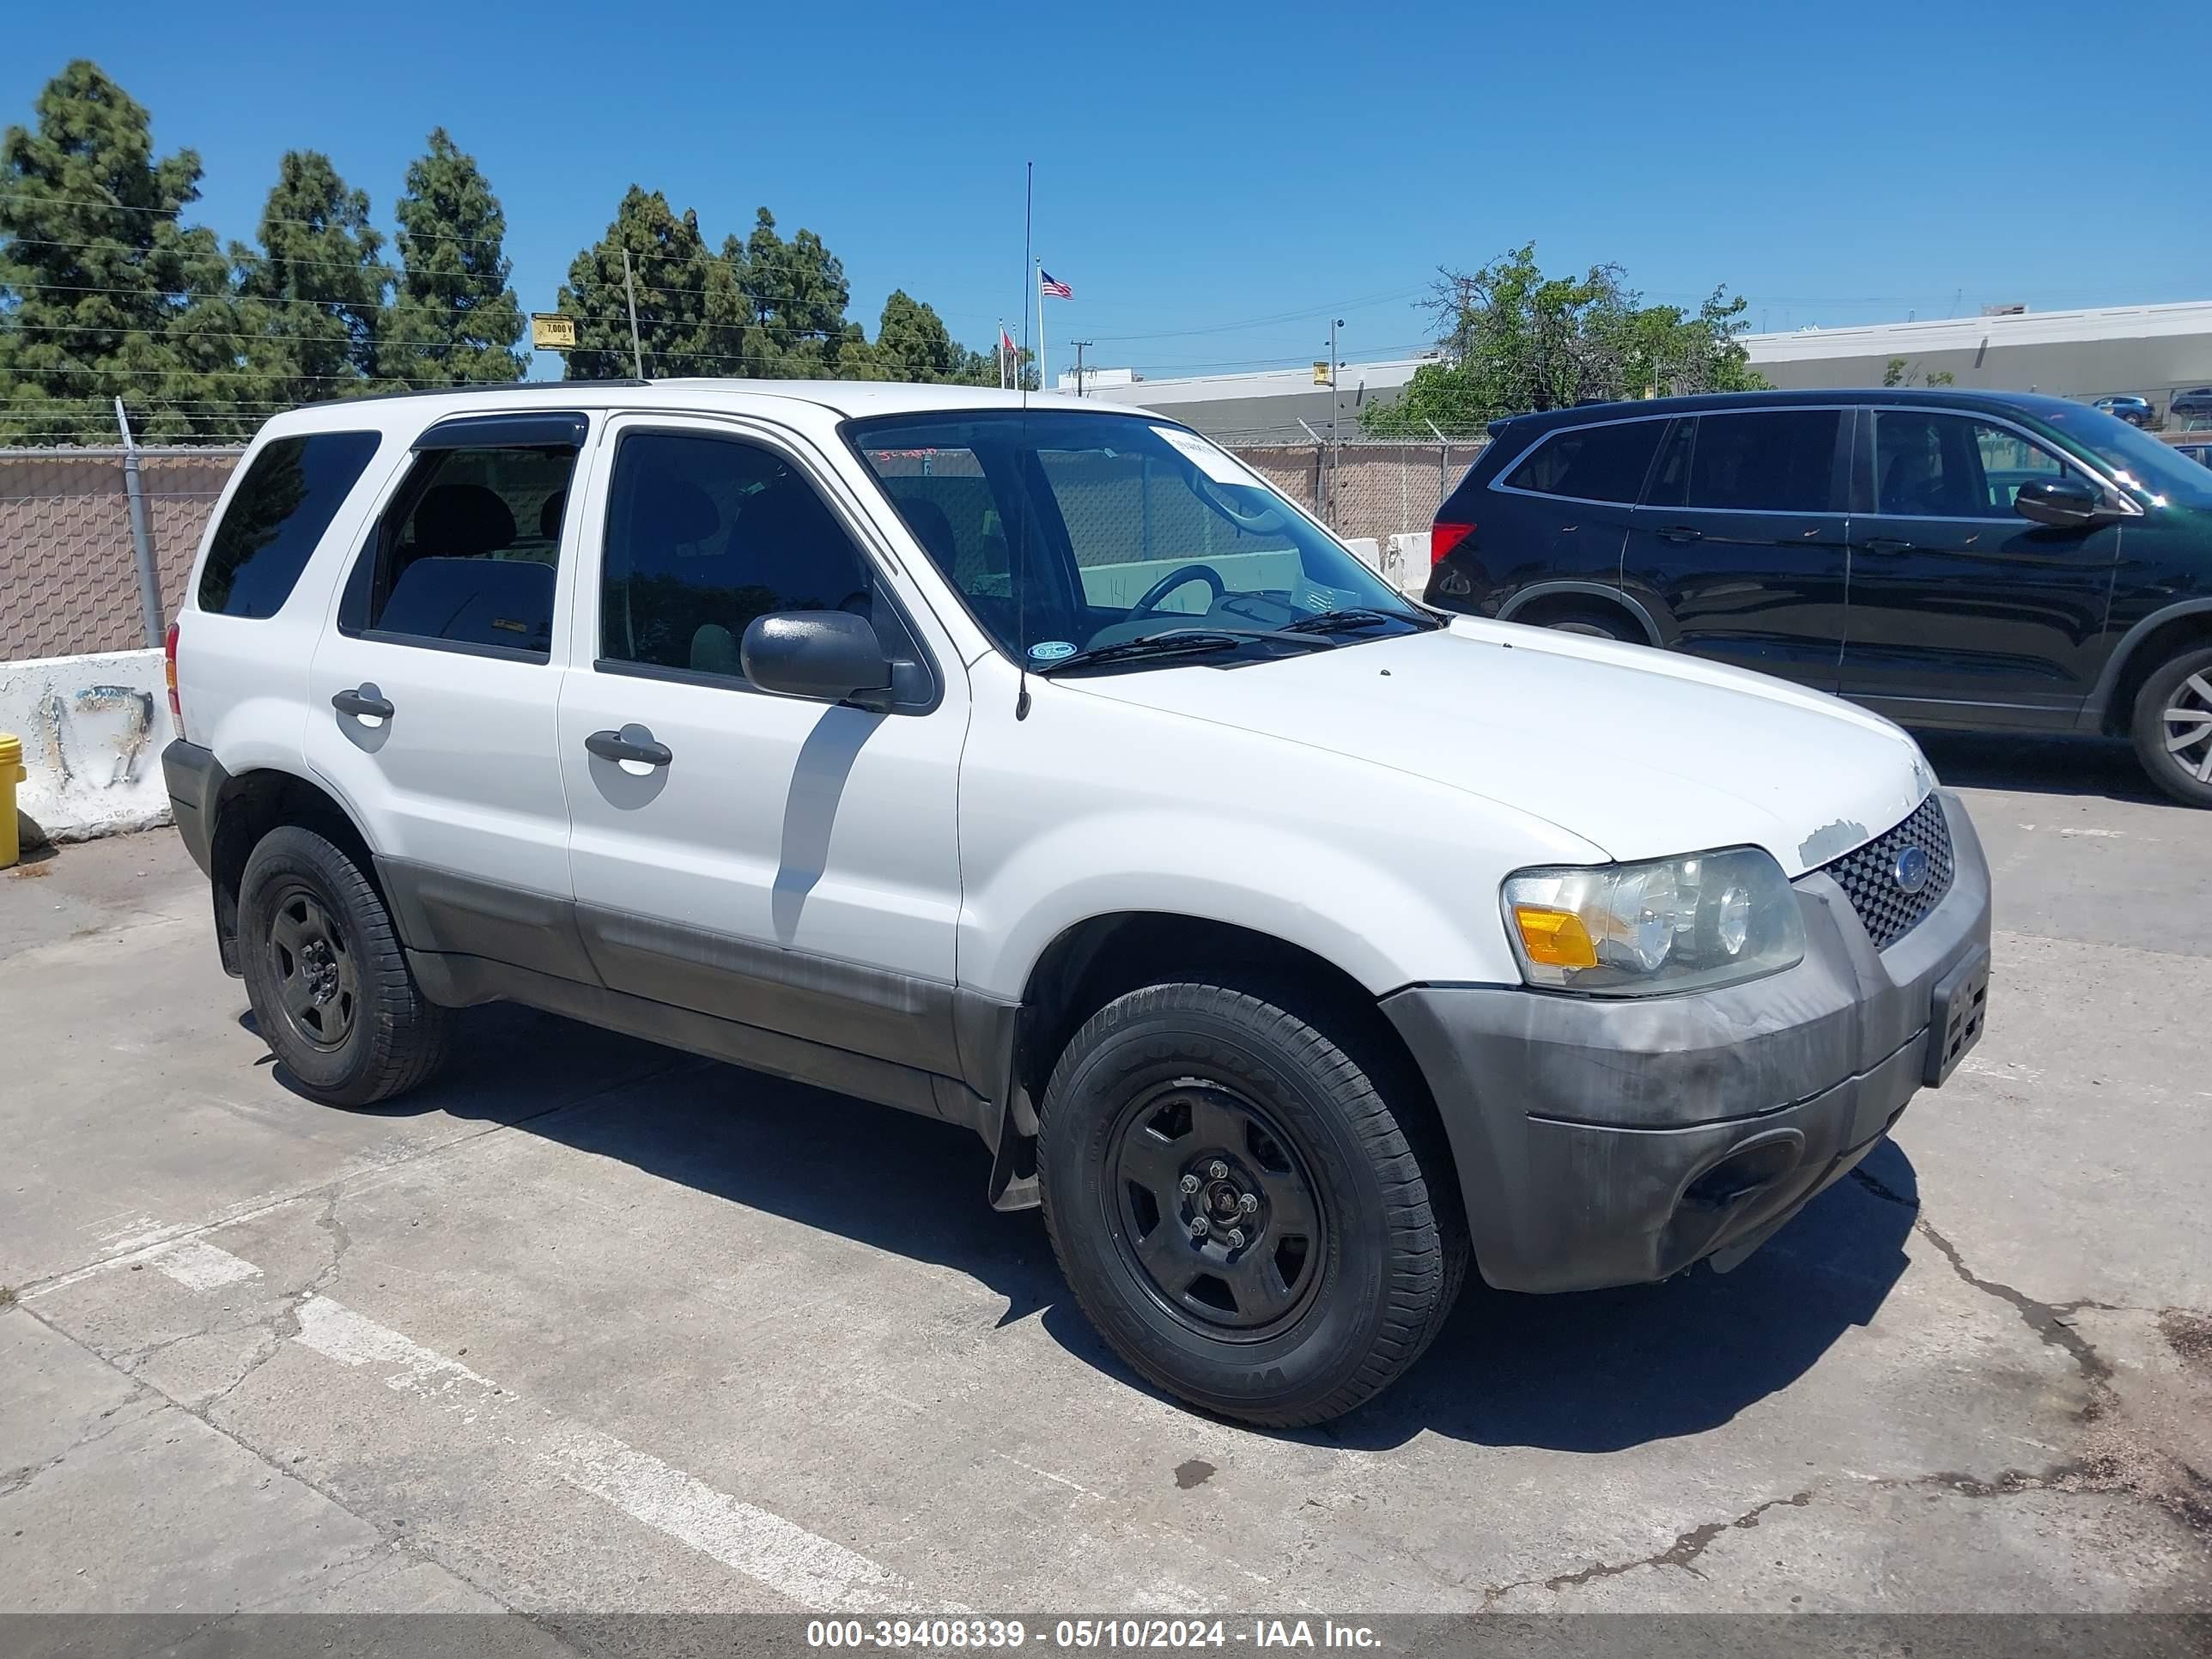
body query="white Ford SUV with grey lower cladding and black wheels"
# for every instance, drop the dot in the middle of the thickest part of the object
(1043, 771)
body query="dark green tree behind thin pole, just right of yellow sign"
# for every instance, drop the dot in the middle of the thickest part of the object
(691, 317)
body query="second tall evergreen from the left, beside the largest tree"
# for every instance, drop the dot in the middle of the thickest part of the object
(313, 293)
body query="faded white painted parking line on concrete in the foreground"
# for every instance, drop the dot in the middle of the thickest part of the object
(791, 1561)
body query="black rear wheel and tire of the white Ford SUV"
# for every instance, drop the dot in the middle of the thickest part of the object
(328, 981)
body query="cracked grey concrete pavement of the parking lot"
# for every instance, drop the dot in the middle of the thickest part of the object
(594, 1326)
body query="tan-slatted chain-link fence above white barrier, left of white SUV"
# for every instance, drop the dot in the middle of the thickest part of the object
(70, 570)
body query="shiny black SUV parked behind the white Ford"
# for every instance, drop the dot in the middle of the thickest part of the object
(1974, 561)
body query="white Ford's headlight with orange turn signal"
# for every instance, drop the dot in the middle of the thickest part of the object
(1669, 926)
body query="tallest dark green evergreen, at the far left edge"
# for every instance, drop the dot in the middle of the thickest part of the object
(103, 291)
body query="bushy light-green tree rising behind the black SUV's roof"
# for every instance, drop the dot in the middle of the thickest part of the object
(1514, 340)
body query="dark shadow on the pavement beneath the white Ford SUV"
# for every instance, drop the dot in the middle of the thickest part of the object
(1592, 1373)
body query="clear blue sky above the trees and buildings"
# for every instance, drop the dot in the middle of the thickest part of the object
(1220, 180)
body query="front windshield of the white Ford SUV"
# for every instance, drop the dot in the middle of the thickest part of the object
(1125, 530)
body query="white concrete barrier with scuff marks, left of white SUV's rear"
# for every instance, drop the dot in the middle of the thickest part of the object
(92, 742)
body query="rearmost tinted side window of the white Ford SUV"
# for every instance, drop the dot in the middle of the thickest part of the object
(275, 519)
